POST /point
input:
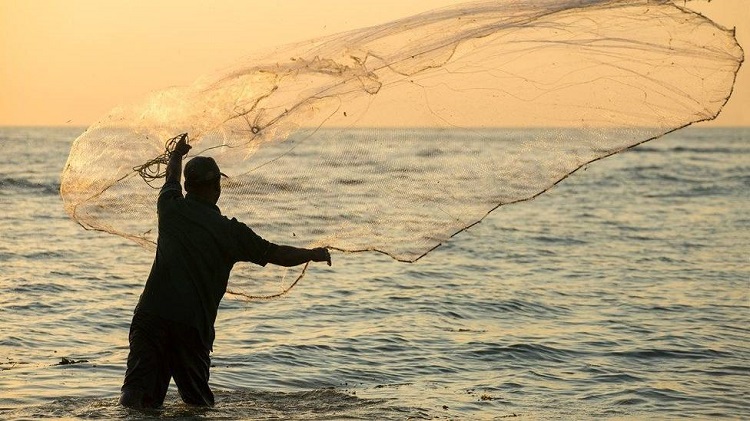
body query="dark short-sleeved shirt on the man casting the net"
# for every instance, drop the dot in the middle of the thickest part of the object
(196, 250)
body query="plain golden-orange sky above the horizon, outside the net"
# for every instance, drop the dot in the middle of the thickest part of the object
(68, 62)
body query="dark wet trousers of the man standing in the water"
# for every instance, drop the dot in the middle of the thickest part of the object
(161, 349)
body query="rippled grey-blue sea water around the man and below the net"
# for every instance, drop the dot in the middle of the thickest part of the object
(622, 293)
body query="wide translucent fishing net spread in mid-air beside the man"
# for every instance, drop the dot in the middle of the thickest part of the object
(397, 137)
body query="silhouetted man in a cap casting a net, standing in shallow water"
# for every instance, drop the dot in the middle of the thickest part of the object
(172, 332)
